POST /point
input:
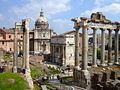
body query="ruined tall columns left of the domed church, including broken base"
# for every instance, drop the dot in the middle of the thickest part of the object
(25, 63)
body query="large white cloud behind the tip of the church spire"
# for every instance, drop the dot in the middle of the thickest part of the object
(32, 7)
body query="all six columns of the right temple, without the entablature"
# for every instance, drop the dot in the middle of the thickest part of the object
(85, 47)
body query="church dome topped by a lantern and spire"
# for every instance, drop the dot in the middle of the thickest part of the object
(41, 22)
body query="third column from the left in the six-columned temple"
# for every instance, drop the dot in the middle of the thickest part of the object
(94, 63)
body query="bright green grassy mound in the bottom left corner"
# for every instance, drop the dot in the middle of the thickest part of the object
(11, 81)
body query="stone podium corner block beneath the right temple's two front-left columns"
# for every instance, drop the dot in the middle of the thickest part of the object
(82, 77)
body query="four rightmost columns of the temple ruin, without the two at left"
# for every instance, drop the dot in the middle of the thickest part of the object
(103, 47)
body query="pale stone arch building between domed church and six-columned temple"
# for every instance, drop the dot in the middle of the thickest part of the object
(63, 48)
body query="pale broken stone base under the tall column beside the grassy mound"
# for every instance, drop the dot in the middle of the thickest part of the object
(29, 79)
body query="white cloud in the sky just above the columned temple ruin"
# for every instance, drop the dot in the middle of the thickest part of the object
(113, 9)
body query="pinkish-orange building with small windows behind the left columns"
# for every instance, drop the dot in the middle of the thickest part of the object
(7, 40)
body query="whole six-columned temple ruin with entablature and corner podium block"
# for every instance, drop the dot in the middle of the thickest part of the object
(97, 22)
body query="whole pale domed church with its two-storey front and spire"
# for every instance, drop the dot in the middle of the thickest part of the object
(42, 35)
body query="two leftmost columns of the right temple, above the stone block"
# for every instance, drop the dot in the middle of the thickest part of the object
(84, 48)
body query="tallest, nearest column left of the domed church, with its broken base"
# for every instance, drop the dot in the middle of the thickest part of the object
(28, 77)
